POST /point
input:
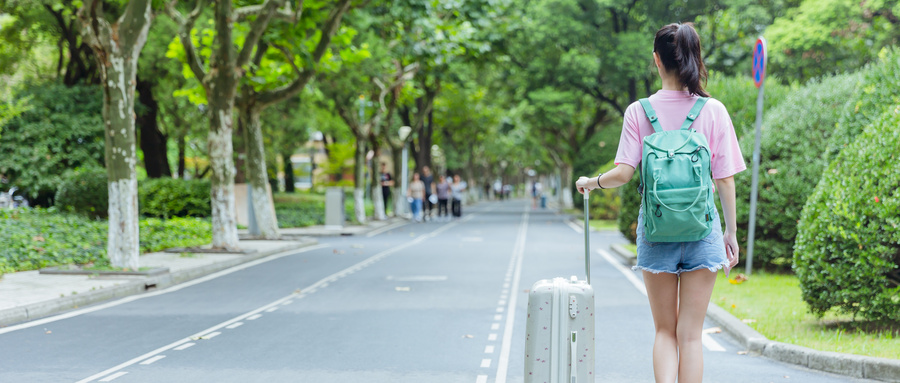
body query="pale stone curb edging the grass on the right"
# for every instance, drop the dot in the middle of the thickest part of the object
(857, 366)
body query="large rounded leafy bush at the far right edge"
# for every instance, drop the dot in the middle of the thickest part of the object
(848, 237)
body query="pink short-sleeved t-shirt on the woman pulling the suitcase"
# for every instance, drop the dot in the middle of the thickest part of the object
(671, 107)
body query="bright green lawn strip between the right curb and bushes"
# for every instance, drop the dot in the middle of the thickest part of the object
(774, 307)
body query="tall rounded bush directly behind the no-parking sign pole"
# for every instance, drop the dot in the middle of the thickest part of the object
(791, 162)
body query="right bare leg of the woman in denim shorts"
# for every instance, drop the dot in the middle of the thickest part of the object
(696, 288)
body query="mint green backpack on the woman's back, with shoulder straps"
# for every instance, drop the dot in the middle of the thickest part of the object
(677, 198)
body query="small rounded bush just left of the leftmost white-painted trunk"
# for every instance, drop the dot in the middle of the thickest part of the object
(84, 192)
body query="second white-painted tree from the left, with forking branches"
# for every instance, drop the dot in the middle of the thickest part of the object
(219, 76)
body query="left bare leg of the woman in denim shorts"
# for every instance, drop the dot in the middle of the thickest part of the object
(662, 290)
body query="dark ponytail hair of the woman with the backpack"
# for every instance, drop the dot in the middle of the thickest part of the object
(678, 46)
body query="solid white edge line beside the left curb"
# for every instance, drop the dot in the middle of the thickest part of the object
(132, 298)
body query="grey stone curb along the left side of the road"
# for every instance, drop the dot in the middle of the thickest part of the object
(55, 306)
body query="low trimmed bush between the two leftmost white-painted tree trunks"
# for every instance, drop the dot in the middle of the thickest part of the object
(169, 197)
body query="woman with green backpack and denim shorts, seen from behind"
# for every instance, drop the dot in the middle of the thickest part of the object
(679, 256)
